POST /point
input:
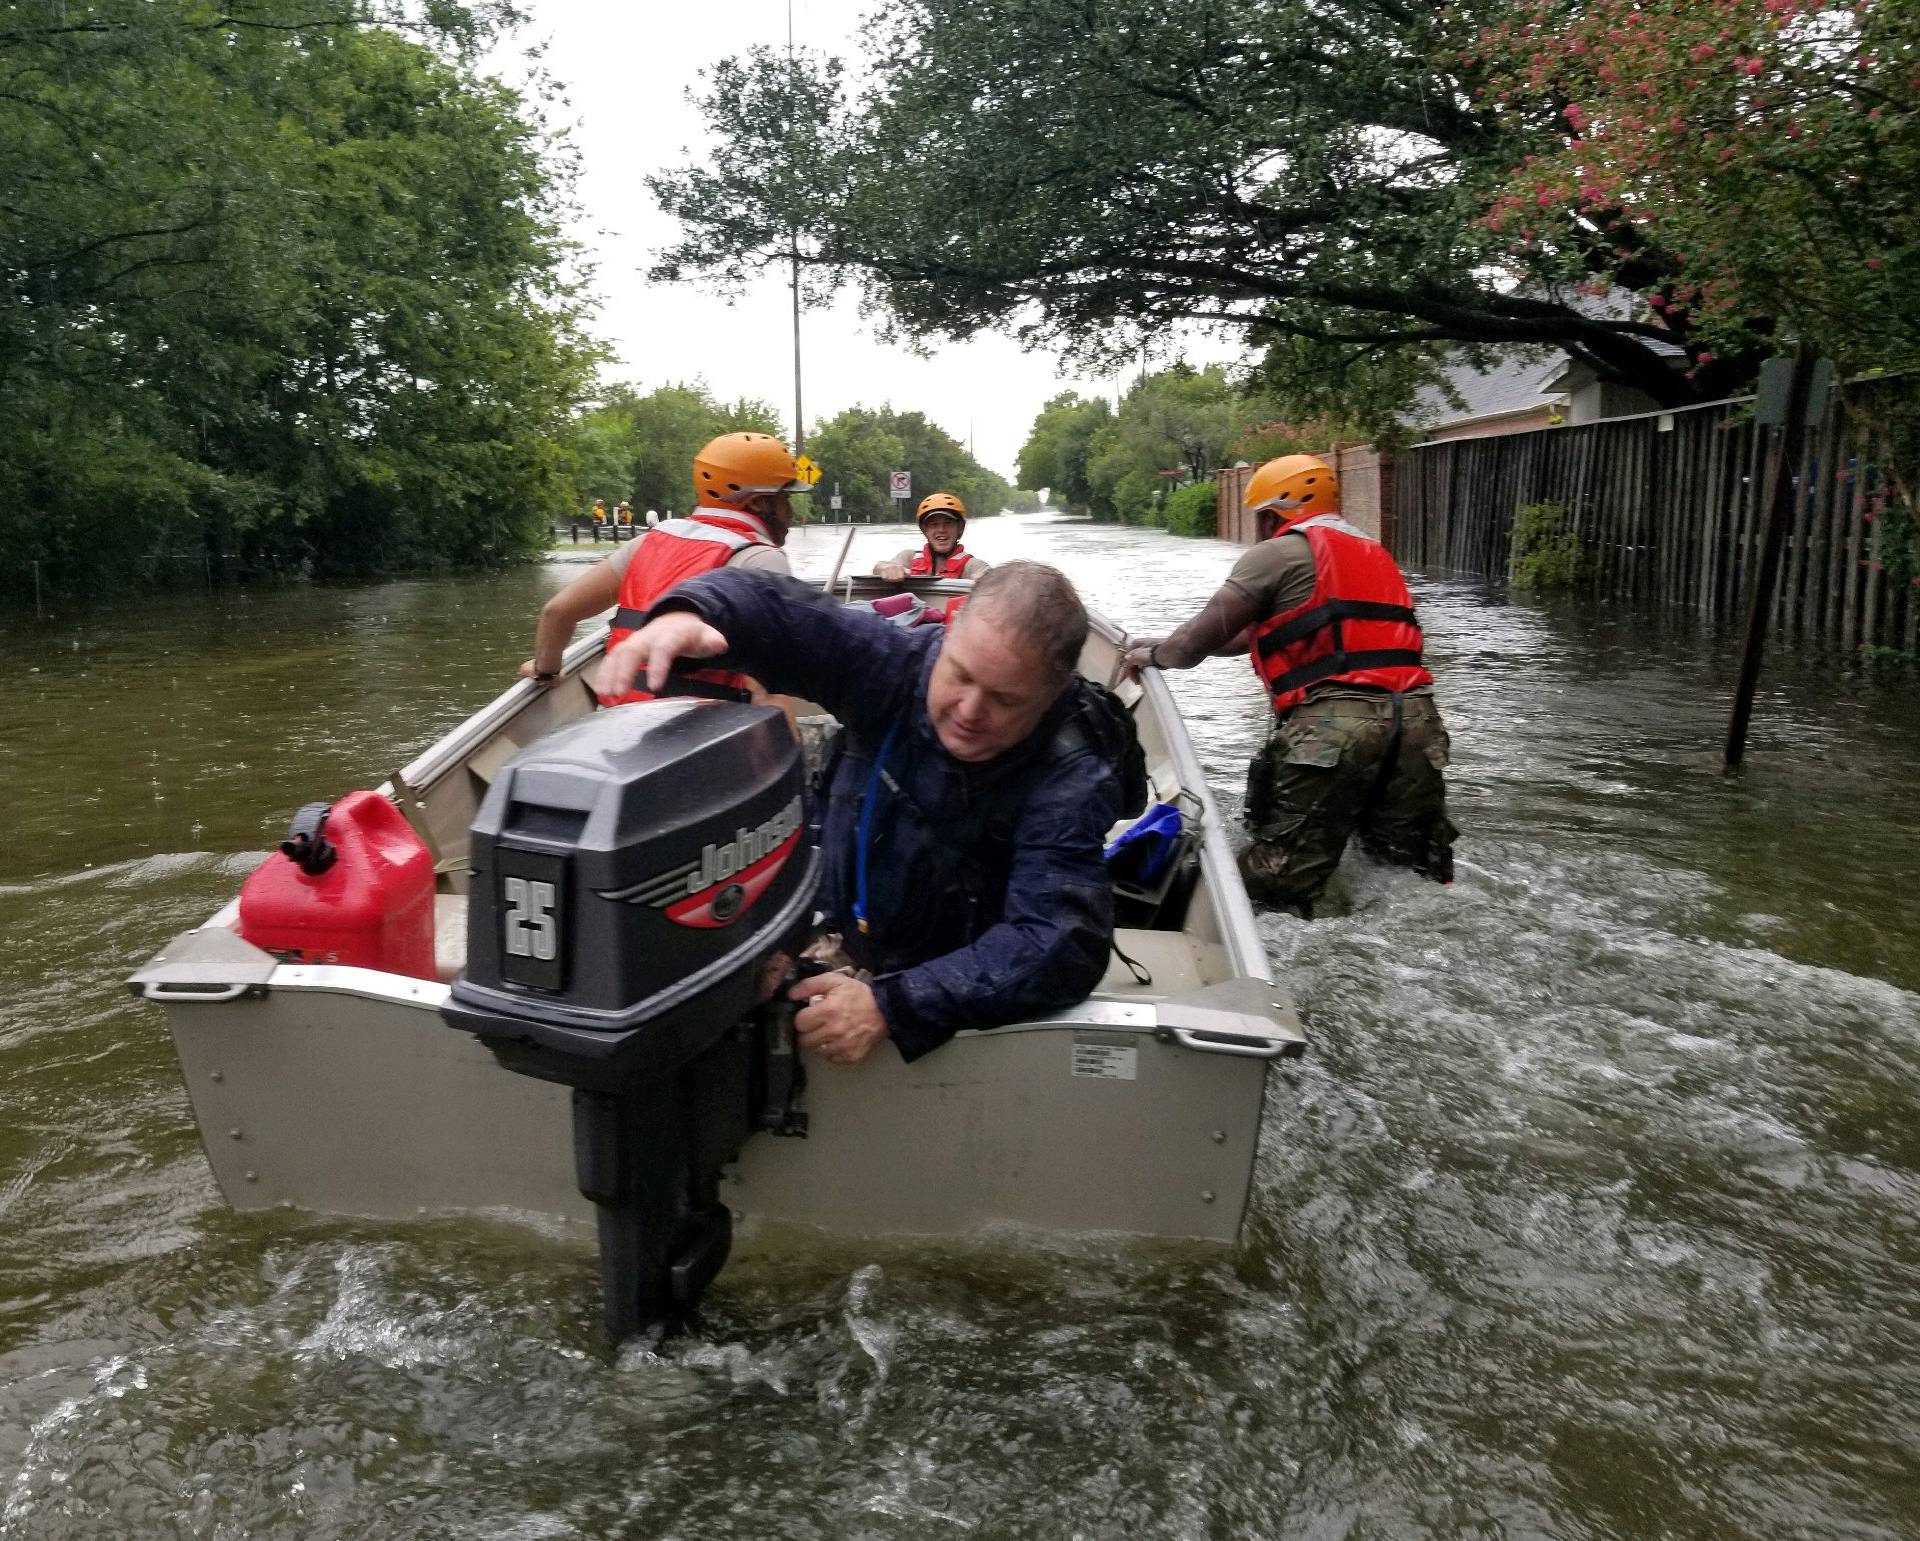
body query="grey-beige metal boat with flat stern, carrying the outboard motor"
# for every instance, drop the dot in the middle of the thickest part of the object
(343, 1089)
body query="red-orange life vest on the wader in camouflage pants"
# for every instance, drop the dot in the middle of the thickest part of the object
(1356, 628)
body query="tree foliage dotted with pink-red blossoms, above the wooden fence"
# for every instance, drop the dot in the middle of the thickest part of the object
(1748, 164)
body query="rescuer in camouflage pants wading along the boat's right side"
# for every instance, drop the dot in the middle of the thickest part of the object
(1358, 742)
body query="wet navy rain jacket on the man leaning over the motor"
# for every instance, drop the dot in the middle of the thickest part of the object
(988, 893)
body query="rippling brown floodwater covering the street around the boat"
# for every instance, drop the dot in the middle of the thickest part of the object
(1595, 1210)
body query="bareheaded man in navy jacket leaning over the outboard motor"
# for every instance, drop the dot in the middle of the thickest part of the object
(967, 805)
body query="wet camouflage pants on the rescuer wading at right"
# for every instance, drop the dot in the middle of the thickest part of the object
(1341, 767)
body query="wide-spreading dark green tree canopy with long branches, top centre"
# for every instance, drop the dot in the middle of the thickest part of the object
(1307, 172)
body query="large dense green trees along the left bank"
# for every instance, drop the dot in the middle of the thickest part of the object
(283, 287)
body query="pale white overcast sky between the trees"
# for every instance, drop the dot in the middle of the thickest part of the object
(625, 68)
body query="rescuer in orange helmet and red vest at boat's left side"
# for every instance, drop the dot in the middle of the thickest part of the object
(744, 508)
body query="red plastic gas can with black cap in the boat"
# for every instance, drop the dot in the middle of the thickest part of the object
(370, 903)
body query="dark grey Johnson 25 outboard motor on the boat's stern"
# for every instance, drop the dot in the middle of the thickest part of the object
(642, 882)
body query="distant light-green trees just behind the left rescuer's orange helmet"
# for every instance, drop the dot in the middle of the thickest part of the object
(640, 448)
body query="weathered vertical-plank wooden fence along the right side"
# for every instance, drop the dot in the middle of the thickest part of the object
(1669, 508)
